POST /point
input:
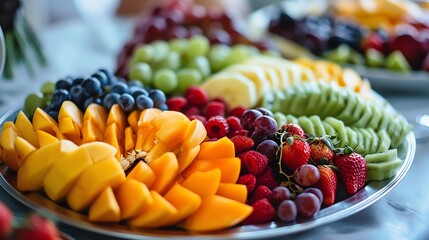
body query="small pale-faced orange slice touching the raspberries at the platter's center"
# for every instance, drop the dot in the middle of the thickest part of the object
(195, 135)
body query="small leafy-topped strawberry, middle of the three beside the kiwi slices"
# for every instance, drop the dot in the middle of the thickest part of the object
(321, 150)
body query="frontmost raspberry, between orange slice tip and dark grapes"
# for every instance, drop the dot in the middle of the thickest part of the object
(263, 212)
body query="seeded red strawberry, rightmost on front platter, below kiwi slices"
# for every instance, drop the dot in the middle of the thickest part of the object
(352, 171)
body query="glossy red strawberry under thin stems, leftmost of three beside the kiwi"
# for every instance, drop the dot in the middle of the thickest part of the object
(295, 152)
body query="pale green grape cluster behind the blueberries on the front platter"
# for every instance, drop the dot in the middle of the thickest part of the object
(175, 65)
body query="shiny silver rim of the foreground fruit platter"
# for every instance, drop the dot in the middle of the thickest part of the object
(261, 232)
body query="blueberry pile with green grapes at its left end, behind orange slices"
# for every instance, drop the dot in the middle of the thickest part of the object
(101, 88)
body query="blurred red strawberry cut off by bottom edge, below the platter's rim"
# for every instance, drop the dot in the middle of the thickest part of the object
(38, 228)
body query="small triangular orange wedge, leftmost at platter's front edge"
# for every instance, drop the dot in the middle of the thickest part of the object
(105, 208)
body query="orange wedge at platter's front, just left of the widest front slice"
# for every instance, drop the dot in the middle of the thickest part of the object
(155, 214)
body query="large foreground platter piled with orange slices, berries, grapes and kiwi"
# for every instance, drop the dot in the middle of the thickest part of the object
(201, 131)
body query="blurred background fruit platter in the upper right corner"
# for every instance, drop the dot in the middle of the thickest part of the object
(384, 41)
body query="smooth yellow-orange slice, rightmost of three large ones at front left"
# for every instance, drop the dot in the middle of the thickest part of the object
(93, 181)
